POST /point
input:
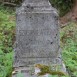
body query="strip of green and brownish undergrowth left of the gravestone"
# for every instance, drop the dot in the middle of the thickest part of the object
(7, 36)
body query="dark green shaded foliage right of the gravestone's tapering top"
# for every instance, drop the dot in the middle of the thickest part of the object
(63, 6)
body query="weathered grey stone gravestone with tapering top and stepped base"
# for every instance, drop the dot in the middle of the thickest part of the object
(37, 37)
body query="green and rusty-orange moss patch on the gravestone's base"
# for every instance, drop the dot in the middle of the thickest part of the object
(45, 69)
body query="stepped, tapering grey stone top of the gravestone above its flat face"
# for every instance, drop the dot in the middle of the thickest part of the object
(36, 6)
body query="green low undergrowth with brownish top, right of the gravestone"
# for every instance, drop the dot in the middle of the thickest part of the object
(69, 46)
